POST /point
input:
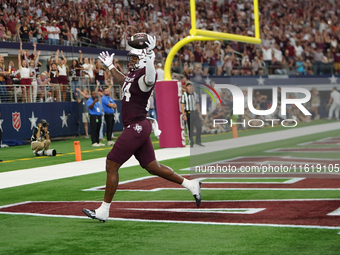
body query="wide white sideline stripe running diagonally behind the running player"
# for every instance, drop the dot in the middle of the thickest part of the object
(47, 173)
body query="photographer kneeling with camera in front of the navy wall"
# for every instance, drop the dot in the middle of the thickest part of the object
(40, 140)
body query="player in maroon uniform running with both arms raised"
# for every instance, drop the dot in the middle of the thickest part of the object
(137, 87)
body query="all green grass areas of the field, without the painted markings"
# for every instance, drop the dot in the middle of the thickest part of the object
(45, 235)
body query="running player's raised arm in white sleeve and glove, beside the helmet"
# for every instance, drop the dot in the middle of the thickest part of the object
(150, 72)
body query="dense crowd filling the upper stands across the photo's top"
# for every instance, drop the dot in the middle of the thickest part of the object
(298, 37)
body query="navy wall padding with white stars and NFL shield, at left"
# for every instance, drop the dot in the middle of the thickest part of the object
(64, 118)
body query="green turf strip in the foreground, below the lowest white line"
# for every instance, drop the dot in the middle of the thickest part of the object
(75, 236)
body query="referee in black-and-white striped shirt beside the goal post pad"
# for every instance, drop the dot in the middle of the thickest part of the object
(192, 114)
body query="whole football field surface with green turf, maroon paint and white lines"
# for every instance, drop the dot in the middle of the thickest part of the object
(237, 216)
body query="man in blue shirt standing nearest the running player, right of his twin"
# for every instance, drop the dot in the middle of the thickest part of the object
(108, 108)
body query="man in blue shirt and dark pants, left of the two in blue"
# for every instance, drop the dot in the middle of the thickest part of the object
(95, 118)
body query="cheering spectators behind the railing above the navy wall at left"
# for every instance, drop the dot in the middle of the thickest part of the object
(58, 80)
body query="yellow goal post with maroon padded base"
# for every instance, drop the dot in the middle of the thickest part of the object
(168, 92)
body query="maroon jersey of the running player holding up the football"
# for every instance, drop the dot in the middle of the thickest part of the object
(134, 100)
